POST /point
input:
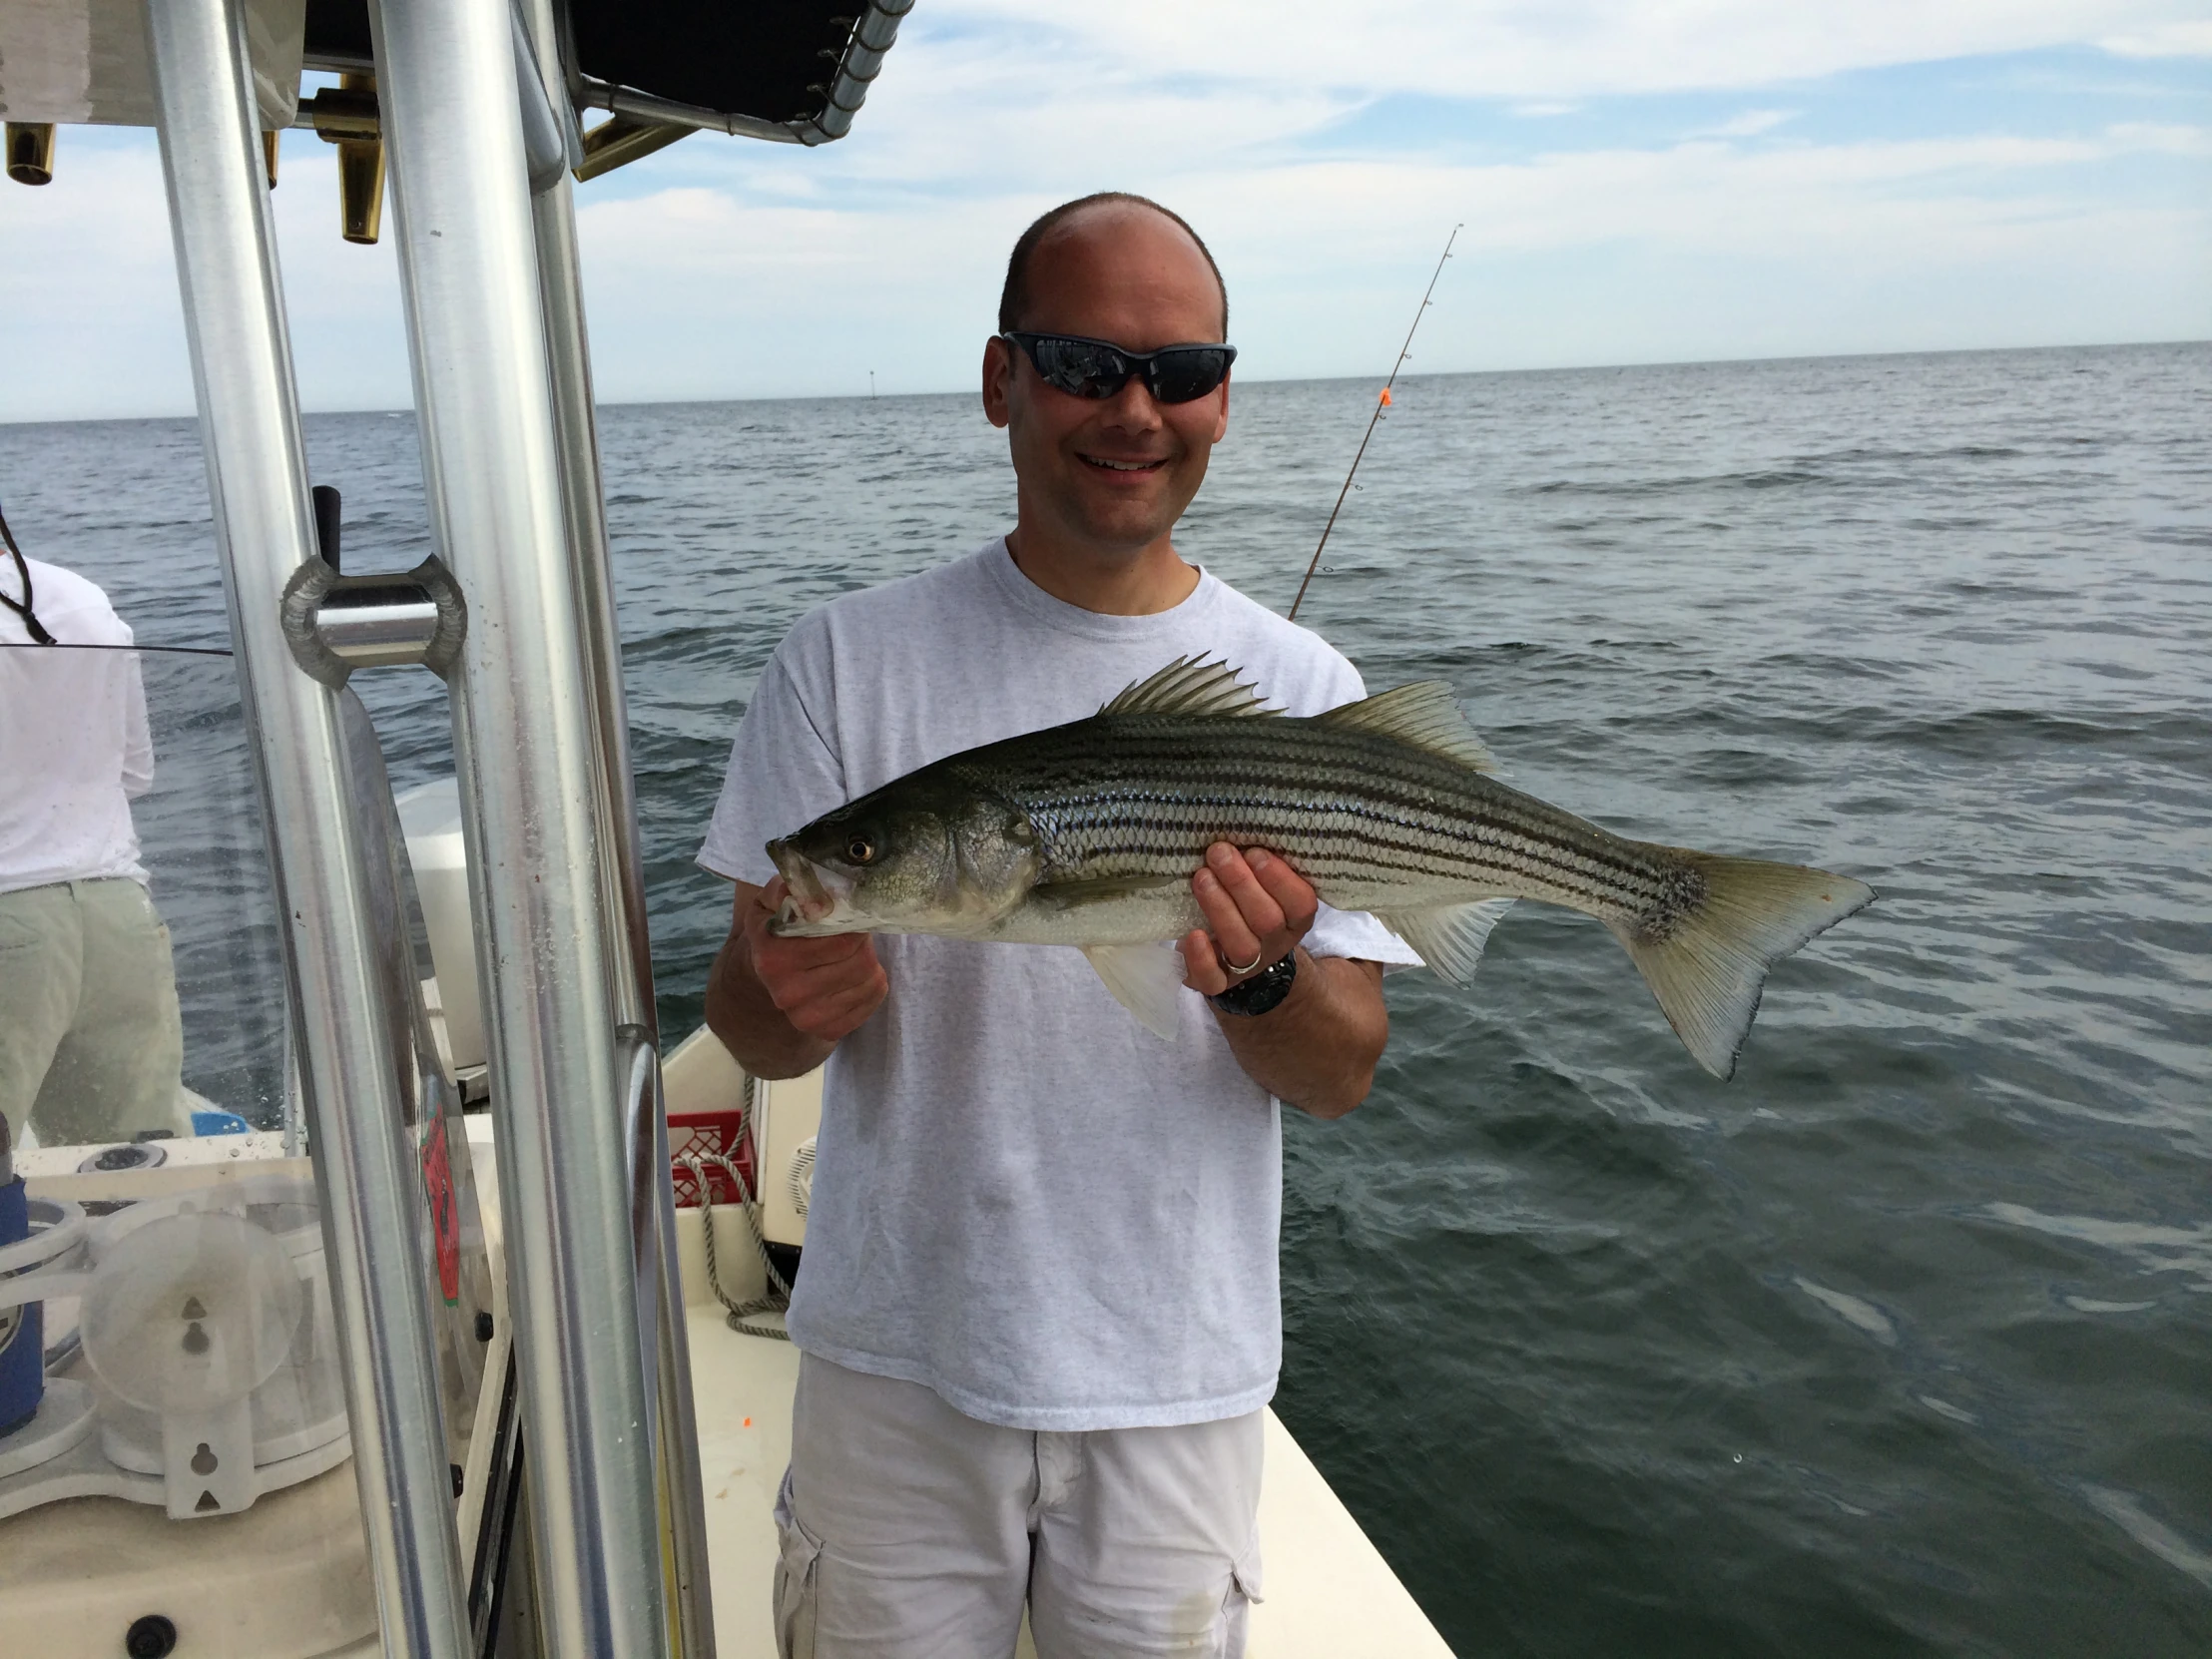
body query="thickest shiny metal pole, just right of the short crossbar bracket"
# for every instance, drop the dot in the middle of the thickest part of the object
(523, 733)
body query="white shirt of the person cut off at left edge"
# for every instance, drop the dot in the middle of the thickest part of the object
(74, 742)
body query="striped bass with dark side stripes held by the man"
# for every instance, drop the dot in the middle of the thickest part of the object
(1089, 833)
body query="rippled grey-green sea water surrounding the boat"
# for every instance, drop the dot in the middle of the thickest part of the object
(1899, 1344)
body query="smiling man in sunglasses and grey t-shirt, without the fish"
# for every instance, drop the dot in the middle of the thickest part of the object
(1041, 1315)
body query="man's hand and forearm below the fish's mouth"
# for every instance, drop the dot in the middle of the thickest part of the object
(782, 1005)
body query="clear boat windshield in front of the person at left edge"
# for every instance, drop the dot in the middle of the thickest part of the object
(138, 935)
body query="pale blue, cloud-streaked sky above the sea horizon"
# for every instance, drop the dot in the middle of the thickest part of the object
(1638, 180)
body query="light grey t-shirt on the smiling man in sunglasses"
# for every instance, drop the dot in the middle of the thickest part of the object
(1025, 1200)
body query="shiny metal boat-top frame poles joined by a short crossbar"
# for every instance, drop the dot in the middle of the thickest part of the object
(503, 395)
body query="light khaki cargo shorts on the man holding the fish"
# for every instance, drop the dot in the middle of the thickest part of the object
(912, 1530)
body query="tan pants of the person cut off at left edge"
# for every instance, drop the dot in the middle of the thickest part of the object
(90, 1039)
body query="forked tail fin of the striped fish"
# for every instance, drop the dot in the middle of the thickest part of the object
(1709, 959)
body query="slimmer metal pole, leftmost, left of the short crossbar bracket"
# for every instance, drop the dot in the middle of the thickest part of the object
(264, 530)
